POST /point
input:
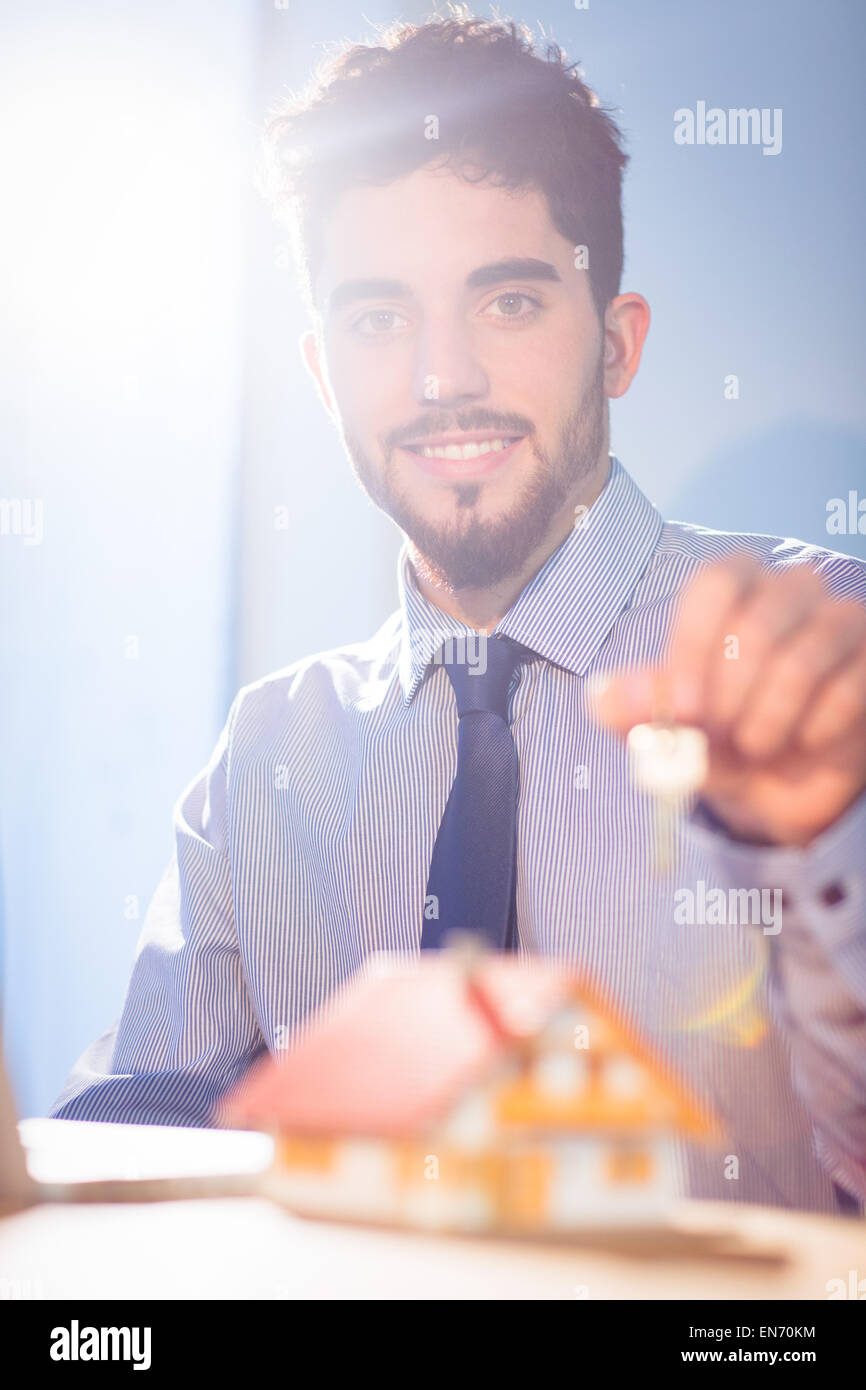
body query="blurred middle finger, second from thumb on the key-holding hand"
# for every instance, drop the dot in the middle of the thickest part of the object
(772, 612)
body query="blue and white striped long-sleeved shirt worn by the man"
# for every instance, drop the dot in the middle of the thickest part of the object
(305, 846)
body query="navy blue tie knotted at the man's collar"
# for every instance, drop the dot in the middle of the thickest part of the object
(473, 872)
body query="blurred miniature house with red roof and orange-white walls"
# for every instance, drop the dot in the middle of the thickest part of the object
(473, 1093)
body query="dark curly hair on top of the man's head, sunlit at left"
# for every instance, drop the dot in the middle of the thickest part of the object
(503, 112)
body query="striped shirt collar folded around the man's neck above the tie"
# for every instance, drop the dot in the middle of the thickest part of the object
(568, 610)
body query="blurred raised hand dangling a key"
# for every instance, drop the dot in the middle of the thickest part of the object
(774, 669)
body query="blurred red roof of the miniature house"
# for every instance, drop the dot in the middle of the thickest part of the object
(404, 1043)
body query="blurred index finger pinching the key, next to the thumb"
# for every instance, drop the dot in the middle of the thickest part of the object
(705, 615)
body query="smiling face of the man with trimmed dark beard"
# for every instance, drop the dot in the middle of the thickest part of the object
(462, 357)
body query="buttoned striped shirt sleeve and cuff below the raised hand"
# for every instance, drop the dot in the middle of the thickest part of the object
(818, 972)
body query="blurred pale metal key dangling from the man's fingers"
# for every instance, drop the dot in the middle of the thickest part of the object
(669, 762)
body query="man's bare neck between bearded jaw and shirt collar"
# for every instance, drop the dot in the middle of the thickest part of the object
(484, 608)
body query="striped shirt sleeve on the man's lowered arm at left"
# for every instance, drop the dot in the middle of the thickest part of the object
(188, 1029)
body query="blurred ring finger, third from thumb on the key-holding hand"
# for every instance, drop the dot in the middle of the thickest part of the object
(794, 678)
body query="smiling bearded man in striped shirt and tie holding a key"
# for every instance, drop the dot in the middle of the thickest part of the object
(459, 222)
